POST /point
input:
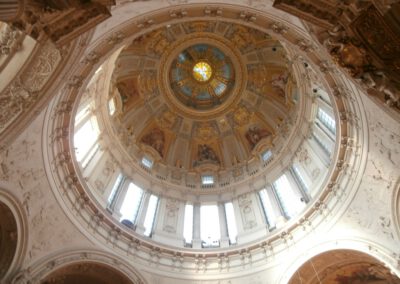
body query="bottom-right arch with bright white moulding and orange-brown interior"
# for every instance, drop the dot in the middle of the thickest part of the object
(347, 257)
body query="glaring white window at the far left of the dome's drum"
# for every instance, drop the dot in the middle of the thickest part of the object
(85, 137)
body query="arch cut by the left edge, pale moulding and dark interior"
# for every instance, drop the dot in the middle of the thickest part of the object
(13, 234)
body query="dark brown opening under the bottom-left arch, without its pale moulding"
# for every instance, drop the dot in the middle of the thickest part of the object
(86, 272)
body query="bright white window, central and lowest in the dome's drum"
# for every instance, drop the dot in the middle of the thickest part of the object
(209, 225)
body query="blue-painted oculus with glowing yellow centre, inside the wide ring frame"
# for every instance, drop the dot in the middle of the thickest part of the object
(202, 76)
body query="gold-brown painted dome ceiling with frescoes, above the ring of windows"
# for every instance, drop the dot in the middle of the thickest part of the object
(208, 103)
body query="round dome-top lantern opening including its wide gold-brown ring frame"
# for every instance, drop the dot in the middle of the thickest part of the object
(202, 76)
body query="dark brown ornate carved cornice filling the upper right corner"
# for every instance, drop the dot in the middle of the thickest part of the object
(361, 40)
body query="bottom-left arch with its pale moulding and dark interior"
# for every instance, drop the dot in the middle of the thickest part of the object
(80, 266)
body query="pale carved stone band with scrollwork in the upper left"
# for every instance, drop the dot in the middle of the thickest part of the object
(35, 85)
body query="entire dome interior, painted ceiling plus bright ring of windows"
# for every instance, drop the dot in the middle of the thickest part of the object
(200, 120)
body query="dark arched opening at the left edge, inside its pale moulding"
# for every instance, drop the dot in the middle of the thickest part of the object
(8, 238)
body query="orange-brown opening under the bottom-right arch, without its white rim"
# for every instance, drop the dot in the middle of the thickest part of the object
(342, 267)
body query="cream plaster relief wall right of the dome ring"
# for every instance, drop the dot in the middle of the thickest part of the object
(379, 178)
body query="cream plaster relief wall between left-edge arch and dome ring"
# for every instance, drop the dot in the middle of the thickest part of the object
(22, 166)
